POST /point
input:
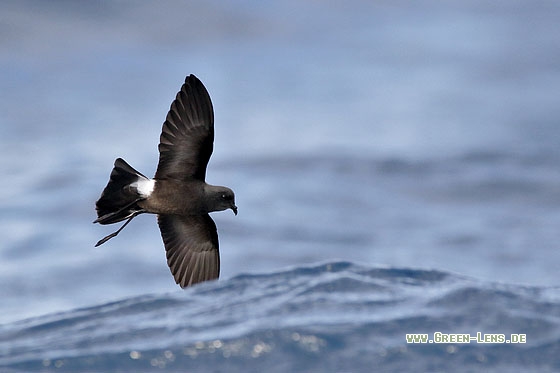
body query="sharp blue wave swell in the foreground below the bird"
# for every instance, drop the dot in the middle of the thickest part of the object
(329, 317)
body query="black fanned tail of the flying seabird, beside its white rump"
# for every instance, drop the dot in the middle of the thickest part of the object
(119, 199)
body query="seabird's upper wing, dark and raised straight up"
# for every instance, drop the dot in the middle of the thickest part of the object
(187, 136)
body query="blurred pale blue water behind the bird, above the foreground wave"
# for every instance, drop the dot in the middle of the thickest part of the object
(387, 133)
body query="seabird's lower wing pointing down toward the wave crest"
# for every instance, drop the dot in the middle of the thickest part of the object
(191, 244)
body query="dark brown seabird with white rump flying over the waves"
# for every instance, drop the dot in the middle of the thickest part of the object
(178, 193)
